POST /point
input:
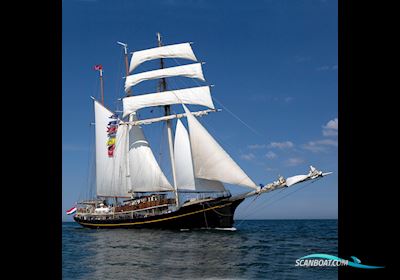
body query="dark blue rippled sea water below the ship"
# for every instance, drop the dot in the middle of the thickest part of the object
(265, 249)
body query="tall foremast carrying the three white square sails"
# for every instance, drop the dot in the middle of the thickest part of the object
(162, 86)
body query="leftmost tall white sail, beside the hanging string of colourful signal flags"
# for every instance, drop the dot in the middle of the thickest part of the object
(110, 171)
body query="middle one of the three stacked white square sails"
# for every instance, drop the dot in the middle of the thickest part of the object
(190, 70)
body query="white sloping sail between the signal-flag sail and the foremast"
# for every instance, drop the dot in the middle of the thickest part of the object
(145, 173)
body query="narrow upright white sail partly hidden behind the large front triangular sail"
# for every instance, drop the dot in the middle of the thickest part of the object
(185, 179)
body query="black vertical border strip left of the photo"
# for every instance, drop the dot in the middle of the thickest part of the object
(34, 251)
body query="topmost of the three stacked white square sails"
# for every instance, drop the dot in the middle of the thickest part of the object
(172, 51)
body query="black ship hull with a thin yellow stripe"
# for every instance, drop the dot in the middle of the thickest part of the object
(211, 214)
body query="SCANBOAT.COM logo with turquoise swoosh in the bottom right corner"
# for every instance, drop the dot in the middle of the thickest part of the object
(329, 260)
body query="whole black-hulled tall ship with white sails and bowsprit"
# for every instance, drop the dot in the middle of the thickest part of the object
(132, 190)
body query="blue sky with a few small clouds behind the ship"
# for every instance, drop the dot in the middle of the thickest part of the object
(274, 65)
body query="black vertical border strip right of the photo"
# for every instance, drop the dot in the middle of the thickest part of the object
(365, 112)
